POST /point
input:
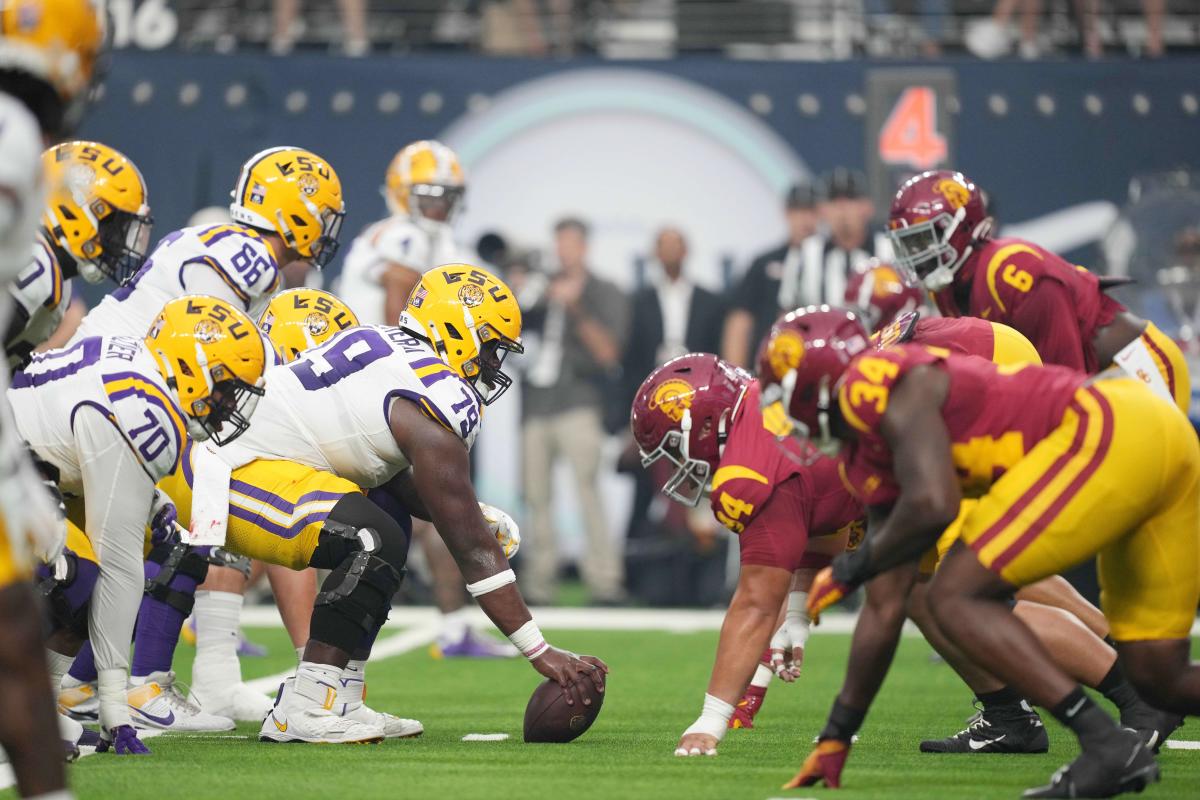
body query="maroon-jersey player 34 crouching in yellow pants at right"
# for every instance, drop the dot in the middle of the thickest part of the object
(1063, 471)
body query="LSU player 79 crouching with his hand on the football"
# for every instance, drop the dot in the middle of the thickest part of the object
(355, 414)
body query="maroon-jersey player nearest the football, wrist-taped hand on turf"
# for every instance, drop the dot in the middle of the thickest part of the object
(703, 416)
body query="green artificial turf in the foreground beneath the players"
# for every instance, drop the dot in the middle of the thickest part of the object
(656, 690)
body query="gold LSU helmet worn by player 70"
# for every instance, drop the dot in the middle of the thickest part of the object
(213, 358)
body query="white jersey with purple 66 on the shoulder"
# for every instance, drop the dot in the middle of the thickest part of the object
(229, 262)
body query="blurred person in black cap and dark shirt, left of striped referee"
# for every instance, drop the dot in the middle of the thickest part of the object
(755, 304)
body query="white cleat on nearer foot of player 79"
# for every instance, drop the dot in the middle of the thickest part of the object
(304, 712)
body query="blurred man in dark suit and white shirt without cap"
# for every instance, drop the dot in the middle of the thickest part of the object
(671, 558)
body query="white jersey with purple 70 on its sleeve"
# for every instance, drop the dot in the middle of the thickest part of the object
(112, 375)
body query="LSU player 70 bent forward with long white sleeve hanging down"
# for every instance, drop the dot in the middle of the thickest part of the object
(111, 416)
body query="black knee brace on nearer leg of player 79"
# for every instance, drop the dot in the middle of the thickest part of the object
(357, 596)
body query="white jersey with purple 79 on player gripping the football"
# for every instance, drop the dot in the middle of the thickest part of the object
(329, 408)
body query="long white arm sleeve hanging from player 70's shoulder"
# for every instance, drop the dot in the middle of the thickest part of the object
(118, 496)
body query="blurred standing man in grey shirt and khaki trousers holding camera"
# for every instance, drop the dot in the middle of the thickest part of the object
(581, 322)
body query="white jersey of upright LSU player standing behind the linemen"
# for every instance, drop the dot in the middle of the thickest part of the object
(395, 240)
